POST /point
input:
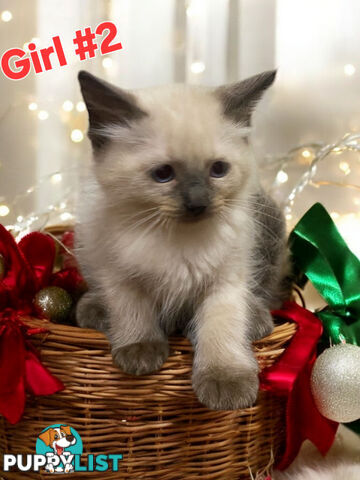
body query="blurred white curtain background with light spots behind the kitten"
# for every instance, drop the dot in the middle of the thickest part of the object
(316, 96)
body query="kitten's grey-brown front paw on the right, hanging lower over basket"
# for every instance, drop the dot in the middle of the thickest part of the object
(220, 389)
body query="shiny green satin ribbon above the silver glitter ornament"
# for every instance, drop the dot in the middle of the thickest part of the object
(320, 252)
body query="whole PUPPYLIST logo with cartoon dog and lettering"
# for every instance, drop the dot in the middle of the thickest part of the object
(58, 450)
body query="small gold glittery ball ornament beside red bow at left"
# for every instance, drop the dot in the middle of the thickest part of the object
(54, 303)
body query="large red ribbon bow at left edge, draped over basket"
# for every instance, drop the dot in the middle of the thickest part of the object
(29, 266)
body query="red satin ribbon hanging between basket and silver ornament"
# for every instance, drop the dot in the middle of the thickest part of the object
(290, 377)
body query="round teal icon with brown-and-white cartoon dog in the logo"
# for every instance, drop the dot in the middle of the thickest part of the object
(59, 443)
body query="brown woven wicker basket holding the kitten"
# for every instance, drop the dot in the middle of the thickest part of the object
(155, 421)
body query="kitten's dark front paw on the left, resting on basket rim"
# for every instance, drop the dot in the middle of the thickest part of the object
(141, 358)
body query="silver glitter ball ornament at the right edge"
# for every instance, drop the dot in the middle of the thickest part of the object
(335, 383)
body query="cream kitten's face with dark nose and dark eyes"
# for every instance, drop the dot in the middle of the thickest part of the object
(179, 158)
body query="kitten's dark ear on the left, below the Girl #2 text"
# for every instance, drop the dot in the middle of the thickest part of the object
(106, 104)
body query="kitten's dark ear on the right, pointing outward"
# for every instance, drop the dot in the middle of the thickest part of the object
(239, 99)
